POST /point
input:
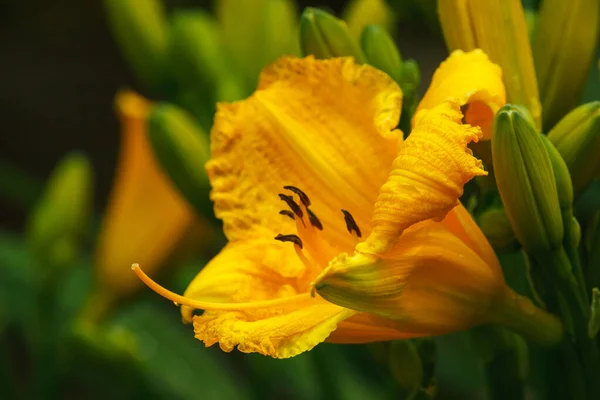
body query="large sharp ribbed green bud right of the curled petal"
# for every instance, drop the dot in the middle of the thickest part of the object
(526, 181)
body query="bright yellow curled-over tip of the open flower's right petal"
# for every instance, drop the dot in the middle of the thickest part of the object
(468, 79)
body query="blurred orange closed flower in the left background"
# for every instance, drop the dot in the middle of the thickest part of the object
(146, 218)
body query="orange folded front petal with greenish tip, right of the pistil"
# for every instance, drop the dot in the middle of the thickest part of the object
(431, 282)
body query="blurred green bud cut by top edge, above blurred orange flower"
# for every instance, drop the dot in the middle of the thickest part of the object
(140, 29)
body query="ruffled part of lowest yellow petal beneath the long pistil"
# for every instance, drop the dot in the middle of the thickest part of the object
(279, 333)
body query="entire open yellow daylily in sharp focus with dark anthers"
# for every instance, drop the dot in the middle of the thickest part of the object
(311, 178)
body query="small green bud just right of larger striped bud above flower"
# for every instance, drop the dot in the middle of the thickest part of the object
(381, 51)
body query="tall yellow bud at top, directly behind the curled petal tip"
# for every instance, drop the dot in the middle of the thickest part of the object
(498, 27)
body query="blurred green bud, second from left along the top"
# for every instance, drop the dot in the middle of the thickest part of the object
(197, 60)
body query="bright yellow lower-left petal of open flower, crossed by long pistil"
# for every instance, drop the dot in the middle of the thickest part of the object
(251, 272)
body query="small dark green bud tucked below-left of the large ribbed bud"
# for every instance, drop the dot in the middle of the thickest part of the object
(497, 229)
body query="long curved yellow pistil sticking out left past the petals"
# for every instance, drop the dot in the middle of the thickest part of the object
(203, 305)
